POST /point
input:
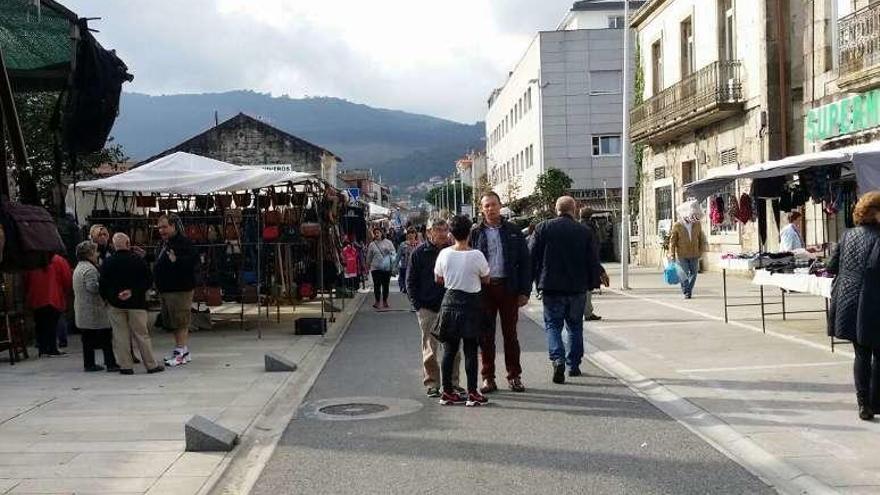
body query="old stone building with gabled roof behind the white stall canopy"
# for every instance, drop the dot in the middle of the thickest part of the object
(244, 140)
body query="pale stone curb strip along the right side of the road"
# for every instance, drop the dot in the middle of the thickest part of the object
(772, 470)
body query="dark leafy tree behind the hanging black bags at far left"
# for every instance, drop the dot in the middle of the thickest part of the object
(48, 164)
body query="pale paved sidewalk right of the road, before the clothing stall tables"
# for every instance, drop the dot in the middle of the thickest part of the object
(781, 404)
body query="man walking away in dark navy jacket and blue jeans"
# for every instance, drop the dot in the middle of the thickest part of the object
(566, 266)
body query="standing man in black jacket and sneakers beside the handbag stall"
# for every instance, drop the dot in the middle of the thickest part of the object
(175, 272)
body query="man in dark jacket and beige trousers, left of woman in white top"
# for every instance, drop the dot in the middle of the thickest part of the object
(426, 295)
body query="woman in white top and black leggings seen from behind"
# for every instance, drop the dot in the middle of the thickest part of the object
(462, 271)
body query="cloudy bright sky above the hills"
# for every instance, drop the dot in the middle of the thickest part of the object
(440, 58)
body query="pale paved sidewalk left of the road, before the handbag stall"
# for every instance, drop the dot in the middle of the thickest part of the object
(66, 431)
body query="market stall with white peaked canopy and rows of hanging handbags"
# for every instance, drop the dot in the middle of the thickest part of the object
(264, 237)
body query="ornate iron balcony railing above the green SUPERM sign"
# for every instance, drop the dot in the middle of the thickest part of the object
(859, 41)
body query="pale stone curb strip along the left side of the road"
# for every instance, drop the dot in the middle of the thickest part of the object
(240, 470)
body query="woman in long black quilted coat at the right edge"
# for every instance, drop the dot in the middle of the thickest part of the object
(855, 299)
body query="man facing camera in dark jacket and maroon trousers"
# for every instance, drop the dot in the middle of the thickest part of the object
(509, 288)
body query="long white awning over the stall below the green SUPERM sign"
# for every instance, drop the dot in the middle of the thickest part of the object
(865, 159)
